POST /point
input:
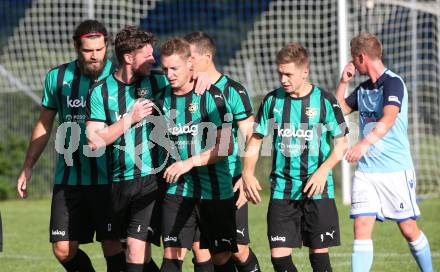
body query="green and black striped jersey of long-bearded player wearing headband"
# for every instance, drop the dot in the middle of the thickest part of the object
(65, 91)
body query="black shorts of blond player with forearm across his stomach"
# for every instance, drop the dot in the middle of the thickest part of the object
(181, 216)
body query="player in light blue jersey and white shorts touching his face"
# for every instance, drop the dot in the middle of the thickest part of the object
(384, 182)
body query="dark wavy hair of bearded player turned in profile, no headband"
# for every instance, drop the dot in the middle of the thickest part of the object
(130, 39)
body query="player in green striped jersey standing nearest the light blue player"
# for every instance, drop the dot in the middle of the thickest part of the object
(303, 118)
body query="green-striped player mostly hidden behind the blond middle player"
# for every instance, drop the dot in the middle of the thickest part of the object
(203, 52)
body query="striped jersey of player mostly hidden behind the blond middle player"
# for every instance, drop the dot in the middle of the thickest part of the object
(240, 106)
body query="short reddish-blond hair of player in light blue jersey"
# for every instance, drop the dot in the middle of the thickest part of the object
(368, 44)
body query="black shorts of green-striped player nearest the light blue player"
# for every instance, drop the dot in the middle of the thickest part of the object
(312, 223)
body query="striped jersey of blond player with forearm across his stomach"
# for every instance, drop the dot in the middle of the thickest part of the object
(192, 122)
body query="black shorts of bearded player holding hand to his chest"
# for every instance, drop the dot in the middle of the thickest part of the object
(135, 210)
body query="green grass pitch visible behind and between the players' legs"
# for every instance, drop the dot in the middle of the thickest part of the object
(26, 246)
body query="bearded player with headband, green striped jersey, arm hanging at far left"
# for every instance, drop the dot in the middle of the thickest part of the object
(81, 194)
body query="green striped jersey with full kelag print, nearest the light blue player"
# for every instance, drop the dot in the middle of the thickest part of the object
(302, 128)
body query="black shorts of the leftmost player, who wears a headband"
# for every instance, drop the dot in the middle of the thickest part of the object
(77, 212)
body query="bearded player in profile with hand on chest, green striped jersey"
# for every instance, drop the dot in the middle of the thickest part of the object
(116, 109)
